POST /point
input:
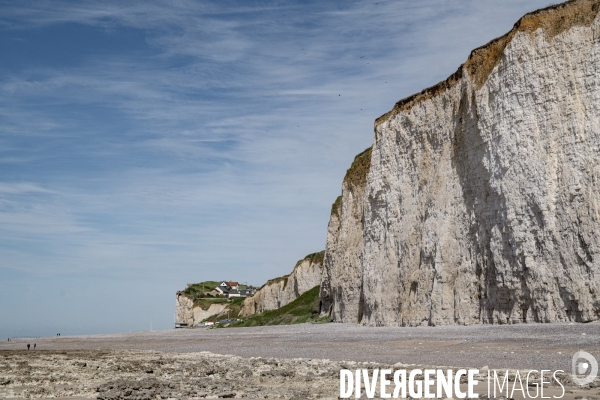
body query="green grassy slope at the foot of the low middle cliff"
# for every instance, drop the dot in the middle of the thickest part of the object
(304, 309)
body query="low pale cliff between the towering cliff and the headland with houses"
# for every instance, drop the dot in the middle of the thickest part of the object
(278, 292)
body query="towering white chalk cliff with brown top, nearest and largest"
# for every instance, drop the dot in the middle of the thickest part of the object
(481, 204)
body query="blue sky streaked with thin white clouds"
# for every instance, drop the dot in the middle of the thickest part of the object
(145, 145)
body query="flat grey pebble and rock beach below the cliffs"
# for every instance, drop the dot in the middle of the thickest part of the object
(301, 361)
